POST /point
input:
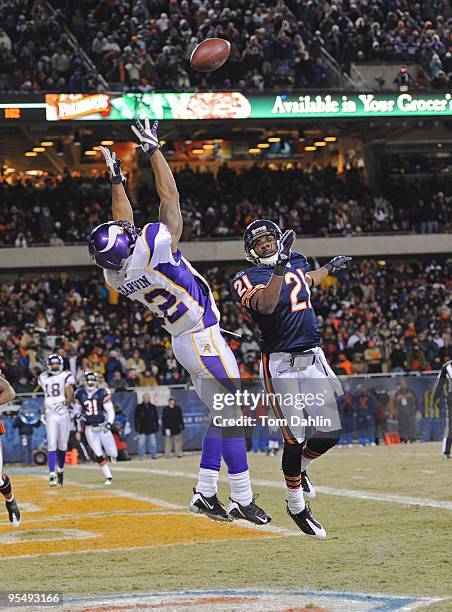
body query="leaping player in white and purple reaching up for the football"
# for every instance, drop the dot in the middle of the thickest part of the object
(148, 268)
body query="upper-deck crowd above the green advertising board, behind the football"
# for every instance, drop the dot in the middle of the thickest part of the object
(145, 45)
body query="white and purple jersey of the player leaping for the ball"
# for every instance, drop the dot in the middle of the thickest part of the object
(166, 284)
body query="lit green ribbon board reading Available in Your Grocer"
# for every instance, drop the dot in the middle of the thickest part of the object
(236, 105)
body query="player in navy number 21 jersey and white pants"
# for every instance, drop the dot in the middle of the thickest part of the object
(277, 293)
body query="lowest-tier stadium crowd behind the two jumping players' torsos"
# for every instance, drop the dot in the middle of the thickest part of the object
(374, 318)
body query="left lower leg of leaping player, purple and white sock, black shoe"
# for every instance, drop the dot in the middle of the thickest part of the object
(205, 500)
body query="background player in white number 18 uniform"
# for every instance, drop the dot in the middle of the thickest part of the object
(57, 384)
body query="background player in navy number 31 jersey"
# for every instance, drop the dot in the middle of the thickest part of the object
(93, 407)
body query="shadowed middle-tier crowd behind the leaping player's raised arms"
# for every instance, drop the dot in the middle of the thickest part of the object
(312, 201)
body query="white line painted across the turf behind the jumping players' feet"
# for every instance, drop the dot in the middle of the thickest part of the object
(402, 500)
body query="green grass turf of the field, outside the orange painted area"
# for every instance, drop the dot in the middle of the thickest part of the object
(372, 546)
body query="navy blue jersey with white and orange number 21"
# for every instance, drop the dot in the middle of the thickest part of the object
(294, 323)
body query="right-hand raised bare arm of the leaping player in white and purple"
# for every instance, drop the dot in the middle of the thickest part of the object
(169, 213)
